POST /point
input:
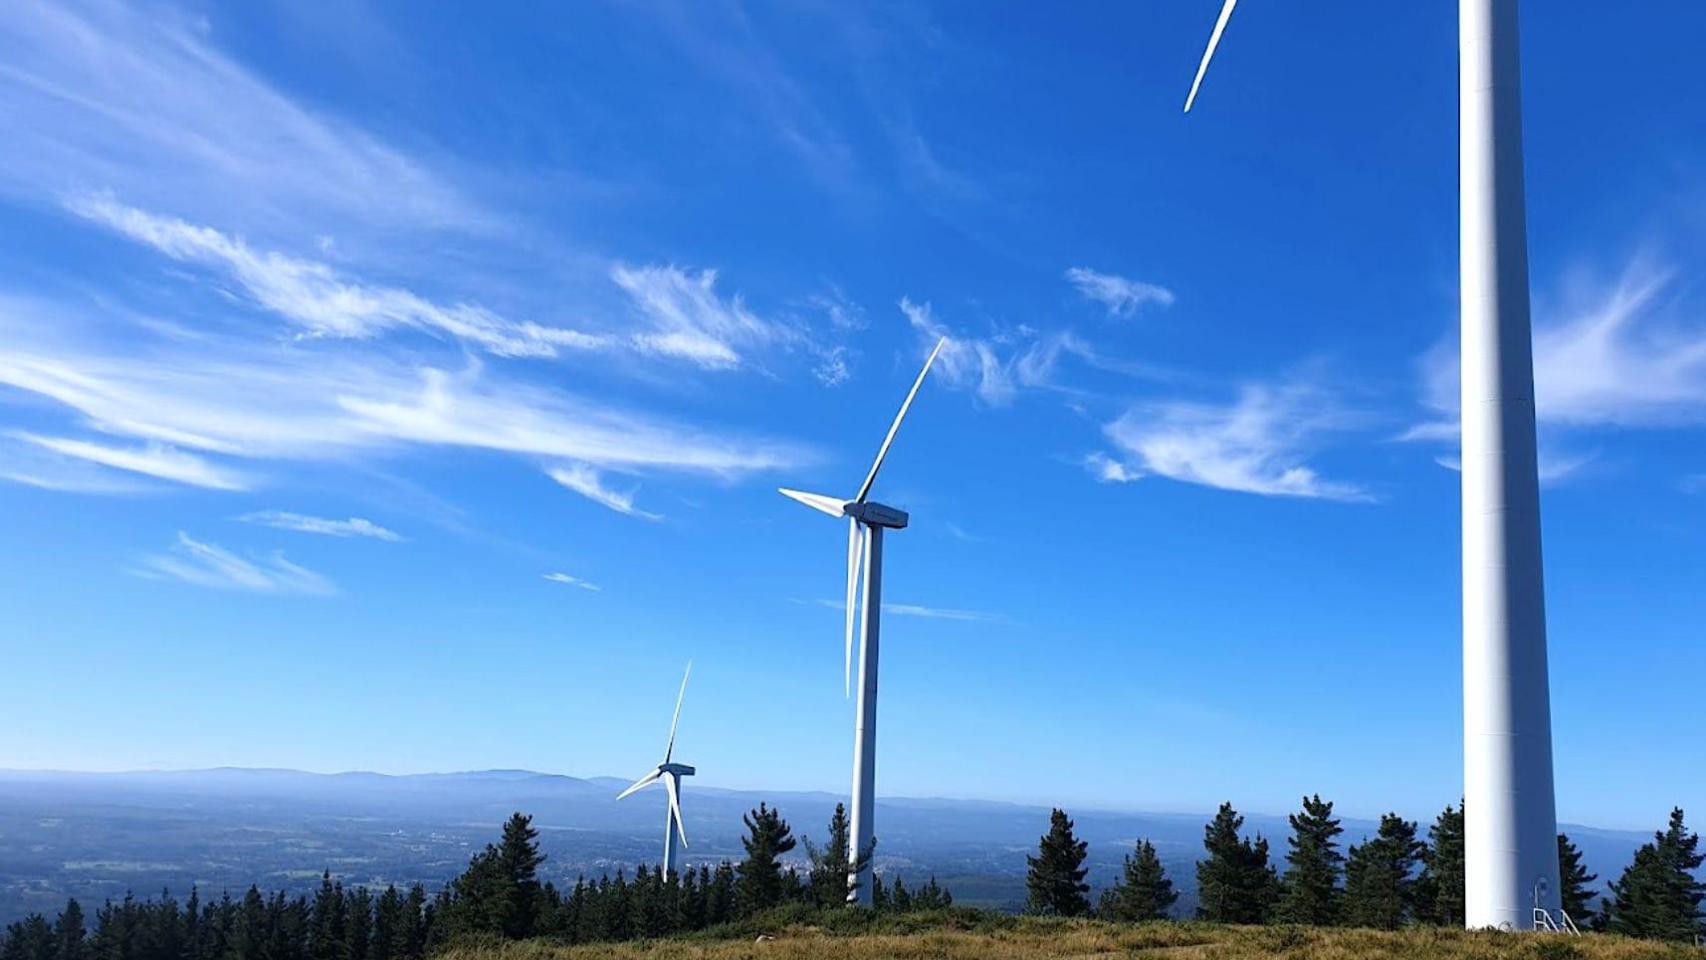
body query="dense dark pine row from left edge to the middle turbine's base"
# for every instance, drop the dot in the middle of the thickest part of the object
(499, 896)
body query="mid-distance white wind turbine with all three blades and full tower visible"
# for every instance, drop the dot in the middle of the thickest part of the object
(868, 521)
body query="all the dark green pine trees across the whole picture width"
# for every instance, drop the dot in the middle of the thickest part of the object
(1390, 881)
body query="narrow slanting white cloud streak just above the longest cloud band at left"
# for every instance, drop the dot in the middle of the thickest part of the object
(323, 303)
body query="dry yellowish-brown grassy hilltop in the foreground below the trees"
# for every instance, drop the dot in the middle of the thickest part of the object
(985, 937)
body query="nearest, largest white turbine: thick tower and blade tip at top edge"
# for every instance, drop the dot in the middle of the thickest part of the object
(1511, 819)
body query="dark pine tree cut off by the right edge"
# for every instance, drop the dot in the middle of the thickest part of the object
(1659, 896)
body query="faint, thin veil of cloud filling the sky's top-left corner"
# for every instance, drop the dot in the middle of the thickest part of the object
(141, 100)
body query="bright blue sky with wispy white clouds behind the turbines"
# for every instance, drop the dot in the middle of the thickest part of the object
(388, 388)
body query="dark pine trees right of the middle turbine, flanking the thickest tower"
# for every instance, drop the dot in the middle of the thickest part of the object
(1390, 881)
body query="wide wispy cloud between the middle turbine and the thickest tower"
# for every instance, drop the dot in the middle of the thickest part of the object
(1256, 444)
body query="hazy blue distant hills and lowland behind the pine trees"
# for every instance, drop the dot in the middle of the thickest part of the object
(103, 835)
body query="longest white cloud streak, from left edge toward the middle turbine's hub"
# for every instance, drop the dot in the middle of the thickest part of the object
(212, 396)
